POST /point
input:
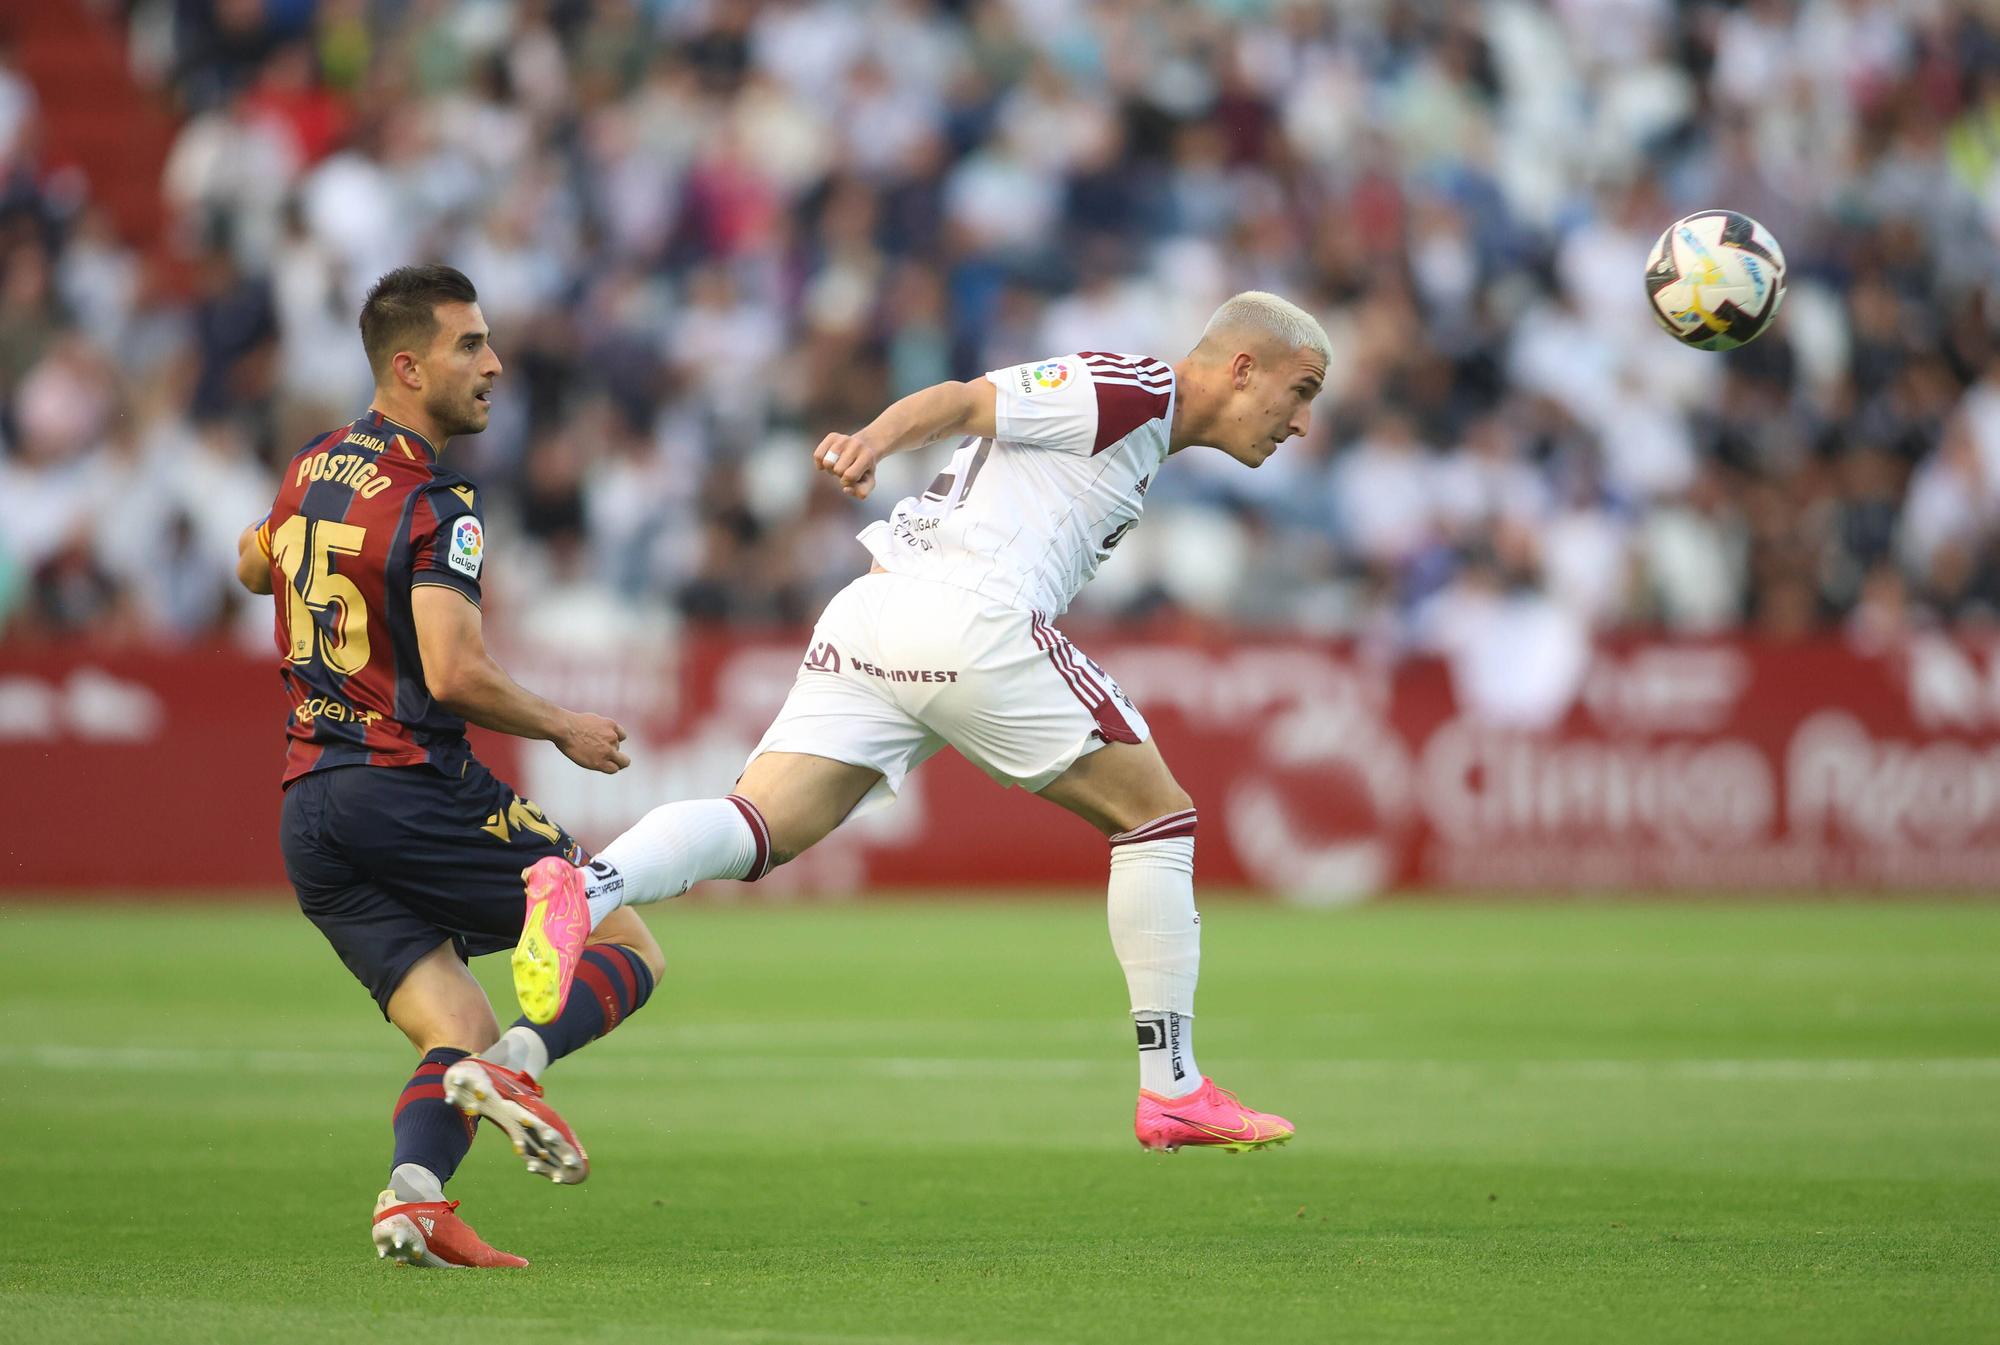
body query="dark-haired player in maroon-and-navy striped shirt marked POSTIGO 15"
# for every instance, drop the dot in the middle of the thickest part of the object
(401, 846)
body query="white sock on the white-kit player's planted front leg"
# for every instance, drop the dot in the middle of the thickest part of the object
(1157, 936)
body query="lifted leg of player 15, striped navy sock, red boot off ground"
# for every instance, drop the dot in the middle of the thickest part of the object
(621, 966)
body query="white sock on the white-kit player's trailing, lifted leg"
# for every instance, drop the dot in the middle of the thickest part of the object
(675, 848)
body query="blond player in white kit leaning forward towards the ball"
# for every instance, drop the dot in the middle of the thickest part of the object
(949, 641)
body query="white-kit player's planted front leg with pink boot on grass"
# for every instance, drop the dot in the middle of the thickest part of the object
(1127, 794)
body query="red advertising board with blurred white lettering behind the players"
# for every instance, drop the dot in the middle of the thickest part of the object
(1319, 776)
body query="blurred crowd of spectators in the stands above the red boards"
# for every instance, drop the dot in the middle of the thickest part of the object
(709, 231)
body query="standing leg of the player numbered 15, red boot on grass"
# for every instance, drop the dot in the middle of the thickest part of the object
(445, 1014)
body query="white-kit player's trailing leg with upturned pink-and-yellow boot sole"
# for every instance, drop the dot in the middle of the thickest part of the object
(785, 804)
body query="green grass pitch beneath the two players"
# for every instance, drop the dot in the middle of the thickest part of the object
(911, 1124)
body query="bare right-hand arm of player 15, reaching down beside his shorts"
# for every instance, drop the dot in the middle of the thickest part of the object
(465, 680)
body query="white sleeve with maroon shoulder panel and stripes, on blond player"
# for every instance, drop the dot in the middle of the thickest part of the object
(1081, 403)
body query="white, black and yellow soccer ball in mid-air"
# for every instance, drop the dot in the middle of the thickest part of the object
(1715, 279)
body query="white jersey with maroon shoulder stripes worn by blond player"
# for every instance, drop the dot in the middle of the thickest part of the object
(1029, 517)
